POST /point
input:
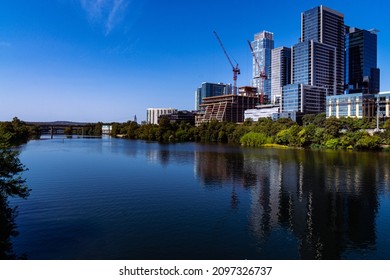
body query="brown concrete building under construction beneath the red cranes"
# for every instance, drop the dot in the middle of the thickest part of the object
(229, 108)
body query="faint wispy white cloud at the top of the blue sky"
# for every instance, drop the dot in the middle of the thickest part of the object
(109, 13)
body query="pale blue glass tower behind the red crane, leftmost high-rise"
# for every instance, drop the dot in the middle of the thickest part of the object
(262, 45)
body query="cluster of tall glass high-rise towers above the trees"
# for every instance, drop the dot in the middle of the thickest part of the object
(330, 58)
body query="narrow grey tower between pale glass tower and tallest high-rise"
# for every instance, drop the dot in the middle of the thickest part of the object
(280, 72)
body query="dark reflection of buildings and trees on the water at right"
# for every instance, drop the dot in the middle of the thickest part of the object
(327, 200)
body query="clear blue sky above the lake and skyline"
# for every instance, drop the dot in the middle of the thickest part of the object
(108, 60)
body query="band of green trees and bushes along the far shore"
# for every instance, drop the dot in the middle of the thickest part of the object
(315, 132)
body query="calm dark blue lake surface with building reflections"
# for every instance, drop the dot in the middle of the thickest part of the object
(121, 199)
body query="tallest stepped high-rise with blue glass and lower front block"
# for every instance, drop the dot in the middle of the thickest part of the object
(317, 62)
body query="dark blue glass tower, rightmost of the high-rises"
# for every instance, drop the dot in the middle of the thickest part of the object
(361, 72)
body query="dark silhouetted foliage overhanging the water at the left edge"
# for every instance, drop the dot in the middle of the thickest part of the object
(11, 185)
